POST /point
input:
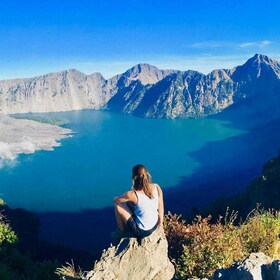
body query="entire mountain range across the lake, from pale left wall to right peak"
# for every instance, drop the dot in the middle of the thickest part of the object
(146, 91)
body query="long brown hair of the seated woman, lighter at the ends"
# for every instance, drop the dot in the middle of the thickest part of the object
(141, 180)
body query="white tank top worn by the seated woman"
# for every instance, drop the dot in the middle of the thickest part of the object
(146, 210)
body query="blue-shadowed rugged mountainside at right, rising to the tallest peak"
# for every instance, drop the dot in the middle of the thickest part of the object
(255, 85)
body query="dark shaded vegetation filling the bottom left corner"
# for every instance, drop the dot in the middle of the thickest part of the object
(23, 256)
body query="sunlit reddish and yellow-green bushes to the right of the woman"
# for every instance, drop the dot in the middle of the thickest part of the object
(198, 249)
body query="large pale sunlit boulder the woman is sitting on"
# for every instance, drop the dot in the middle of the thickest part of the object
(144, 259)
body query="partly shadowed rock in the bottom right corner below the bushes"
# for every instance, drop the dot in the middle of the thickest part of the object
(256, 267)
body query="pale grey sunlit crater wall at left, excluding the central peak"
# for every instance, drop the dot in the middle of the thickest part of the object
(62, 91)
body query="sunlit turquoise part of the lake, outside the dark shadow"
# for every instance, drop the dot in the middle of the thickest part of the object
(93, 166)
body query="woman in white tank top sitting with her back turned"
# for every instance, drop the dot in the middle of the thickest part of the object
(140, 210)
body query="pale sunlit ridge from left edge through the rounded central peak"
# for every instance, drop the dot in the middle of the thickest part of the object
(70, 90)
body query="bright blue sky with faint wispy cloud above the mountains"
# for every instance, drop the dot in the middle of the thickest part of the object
(110, 36)
